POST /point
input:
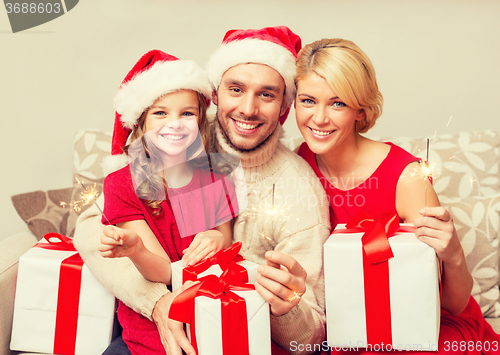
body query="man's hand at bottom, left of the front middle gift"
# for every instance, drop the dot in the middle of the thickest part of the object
(172, 333)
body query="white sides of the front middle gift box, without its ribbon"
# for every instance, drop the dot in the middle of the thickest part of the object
(209, 330)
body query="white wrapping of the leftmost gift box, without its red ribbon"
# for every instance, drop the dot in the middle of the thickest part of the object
(36, 300)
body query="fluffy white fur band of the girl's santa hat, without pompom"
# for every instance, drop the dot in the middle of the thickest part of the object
(145, 88)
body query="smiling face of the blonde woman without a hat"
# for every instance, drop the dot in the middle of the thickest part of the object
(324, 120)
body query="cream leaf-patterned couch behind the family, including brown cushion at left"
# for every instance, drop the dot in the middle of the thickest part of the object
(467, 182)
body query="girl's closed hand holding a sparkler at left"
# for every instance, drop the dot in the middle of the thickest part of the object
(117, 242)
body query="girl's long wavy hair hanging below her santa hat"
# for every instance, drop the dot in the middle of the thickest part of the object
(147, 162)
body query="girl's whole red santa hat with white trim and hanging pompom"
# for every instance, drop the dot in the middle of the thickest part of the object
(154, 75)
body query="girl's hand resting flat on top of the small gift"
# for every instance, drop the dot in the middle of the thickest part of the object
(204, 245)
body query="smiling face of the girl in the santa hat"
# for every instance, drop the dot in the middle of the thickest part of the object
(172, 124)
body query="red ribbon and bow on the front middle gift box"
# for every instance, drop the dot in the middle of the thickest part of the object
(234, 320)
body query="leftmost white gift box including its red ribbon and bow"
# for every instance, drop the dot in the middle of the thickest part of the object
(60, 307)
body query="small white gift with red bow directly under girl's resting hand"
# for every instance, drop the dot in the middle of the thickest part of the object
(216, 265)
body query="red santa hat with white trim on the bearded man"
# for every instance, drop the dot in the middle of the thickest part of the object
(276, 47)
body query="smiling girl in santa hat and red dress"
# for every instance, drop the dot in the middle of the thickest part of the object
(162, 102)
